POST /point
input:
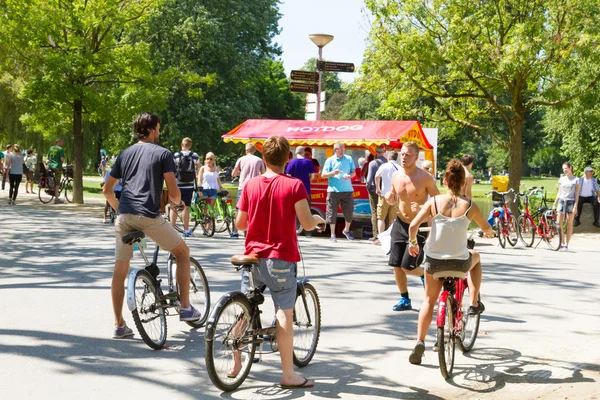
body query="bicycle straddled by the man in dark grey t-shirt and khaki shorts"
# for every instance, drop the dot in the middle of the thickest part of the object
(147, 302)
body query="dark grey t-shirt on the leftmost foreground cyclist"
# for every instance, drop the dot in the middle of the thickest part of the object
(141, 167)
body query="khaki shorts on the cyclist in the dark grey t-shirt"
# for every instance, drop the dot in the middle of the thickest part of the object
(157, 229)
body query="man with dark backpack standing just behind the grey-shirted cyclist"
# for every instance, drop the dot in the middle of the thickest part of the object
(186, 162)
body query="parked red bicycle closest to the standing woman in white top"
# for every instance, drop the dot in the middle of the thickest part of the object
(547, 227)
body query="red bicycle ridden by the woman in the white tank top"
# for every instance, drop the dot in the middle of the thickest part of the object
(461, 328)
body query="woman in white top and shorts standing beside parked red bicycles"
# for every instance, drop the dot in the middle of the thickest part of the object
(567, 197)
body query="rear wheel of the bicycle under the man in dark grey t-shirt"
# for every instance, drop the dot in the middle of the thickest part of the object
(149, 315)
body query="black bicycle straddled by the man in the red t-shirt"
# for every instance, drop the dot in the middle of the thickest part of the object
(235, 326)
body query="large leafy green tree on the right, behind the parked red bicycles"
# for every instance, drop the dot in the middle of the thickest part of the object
(480, 61)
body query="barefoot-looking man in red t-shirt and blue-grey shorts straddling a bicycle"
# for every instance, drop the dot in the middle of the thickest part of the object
(268, 209)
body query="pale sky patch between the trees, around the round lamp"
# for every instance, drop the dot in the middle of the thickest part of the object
(344, 19)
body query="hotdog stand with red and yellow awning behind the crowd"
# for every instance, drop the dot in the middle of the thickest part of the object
(359, 137)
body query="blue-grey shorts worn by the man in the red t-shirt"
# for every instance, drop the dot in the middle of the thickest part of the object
(279, 276)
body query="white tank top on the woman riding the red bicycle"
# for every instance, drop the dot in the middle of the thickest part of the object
(448, 237)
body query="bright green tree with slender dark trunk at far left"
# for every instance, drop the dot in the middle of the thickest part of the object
(76, 58)
